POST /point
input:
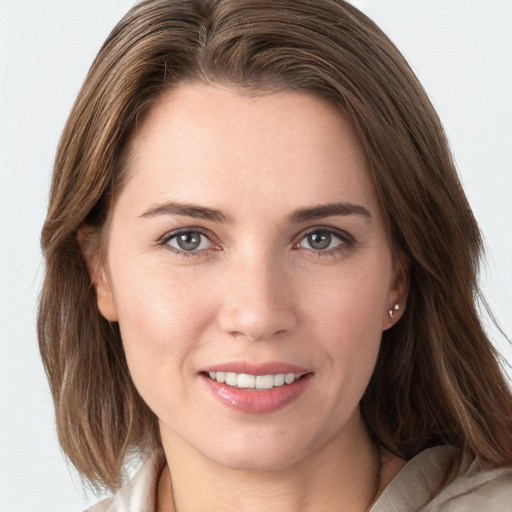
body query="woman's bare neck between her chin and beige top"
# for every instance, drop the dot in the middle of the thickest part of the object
(345, 472)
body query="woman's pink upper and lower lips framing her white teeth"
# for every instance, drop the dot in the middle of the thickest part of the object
(255, 401)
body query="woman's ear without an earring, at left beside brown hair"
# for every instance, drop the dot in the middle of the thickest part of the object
(88, 239)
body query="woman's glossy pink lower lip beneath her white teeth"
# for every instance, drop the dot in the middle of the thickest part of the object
(256, 401)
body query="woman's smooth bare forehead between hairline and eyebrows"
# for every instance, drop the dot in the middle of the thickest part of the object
(211, 144)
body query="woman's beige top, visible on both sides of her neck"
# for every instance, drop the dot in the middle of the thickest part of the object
(477, 487)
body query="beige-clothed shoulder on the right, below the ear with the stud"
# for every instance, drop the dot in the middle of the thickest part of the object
(420, 487)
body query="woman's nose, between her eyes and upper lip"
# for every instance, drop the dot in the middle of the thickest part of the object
(258, 300)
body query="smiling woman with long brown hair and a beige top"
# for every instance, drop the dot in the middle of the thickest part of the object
(269, 273)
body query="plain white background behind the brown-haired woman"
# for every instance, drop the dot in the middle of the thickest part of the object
(462, 52)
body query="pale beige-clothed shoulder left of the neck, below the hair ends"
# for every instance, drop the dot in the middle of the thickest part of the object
(139, 493)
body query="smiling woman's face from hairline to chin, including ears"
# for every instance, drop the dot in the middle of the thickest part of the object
(249, 268)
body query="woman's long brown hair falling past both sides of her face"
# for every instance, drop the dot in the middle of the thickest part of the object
(438, 378)
